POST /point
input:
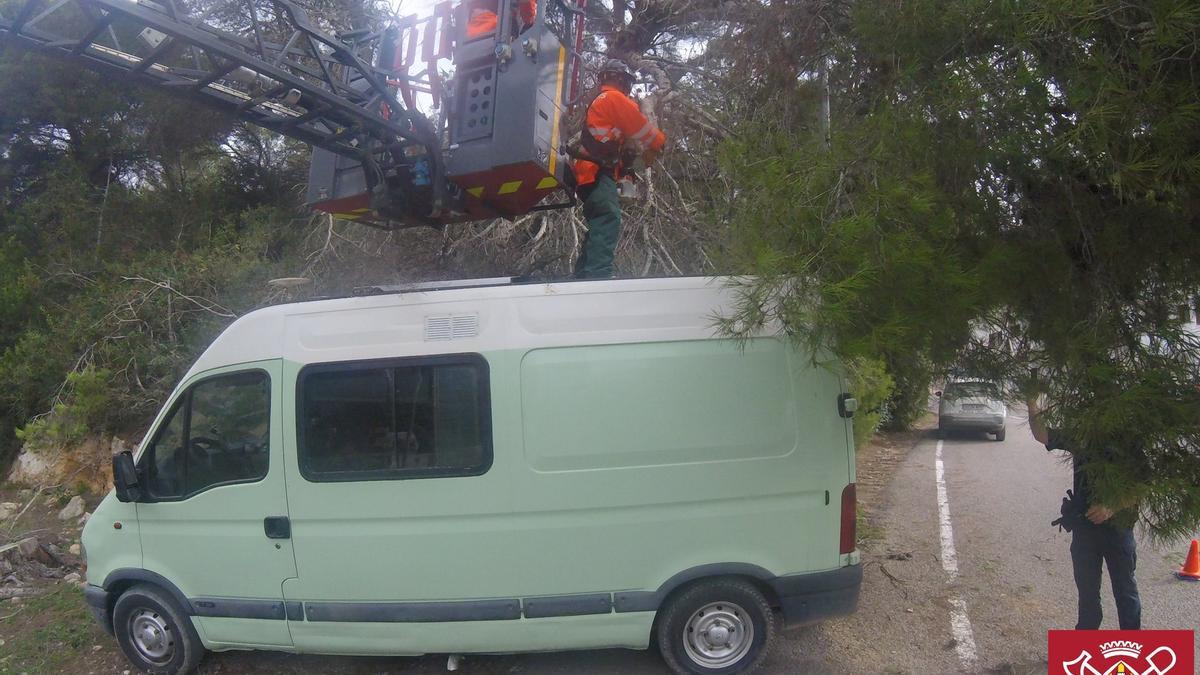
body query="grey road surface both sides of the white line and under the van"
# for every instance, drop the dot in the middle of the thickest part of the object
(1013, 583)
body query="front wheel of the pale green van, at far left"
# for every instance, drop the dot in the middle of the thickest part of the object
(154, 634)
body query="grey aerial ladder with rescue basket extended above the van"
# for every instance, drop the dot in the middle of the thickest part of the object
(496, 151)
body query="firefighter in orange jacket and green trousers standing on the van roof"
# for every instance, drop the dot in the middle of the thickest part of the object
(616, 134)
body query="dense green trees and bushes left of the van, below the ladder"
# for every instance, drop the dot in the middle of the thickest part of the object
(128, 241)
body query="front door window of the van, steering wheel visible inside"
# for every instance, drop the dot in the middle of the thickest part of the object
(219, 433)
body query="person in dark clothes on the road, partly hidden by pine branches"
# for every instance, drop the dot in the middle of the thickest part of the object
(1100, 535)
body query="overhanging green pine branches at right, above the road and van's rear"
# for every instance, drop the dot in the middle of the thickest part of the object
(1007, 186)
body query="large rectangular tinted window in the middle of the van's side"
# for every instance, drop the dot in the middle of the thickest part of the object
(421, 419)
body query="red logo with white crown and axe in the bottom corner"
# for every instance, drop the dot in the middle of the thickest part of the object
(1121, 653)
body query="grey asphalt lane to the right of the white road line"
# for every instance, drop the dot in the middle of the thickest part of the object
(1009, 545)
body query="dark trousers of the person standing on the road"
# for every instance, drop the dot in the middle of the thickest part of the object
(1093, 546)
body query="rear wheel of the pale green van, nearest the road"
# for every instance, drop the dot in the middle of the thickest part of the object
(717, 628)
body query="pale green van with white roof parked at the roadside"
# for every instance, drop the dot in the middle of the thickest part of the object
(485, 469)
